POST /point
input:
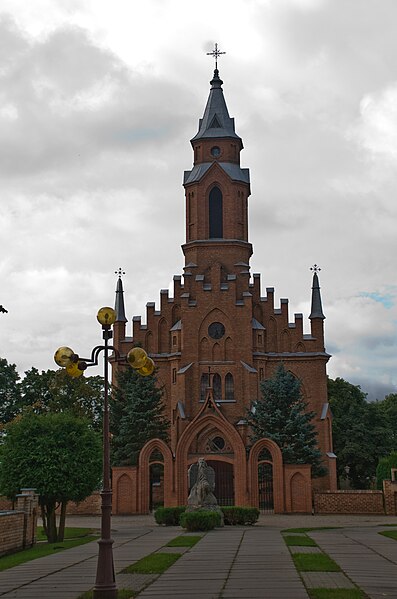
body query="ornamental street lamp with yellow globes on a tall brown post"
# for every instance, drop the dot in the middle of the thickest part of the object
(105, 583)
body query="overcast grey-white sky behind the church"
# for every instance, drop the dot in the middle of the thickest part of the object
(98, 102)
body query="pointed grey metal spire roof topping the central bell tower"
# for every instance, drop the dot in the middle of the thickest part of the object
(216, 121)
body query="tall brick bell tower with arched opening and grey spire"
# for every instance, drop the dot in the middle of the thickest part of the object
(217, 190)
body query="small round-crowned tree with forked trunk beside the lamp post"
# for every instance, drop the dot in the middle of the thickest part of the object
(57, 454)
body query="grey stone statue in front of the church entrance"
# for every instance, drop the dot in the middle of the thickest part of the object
(202, 486)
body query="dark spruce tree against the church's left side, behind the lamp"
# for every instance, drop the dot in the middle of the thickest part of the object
(137, 415)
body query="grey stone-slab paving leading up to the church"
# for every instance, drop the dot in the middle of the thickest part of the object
(229, 563)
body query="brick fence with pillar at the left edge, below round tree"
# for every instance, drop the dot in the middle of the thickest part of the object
(18, 527)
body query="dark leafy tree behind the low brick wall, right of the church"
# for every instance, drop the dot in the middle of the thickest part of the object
(361, 432)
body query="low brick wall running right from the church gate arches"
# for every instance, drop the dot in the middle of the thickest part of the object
(349, 502)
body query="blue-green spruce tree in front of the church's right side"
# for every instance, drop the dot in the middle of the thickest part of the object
(281, 415)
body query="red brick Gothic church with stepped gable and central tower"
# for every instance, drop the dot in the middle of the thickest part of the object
(215, 340)
